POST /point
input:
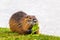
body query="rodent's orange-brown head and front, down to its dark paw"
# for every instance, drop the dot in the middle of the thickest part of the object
(27, 23)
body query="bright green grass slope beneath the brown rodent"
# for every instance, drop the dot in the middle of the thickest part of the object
(6, 34)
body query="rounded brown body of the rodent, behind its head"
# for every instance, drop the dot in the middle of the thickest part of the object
(14, 21)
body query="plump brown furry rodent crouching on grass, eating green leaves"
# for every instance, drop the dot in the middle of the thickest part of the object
(22, 23)
